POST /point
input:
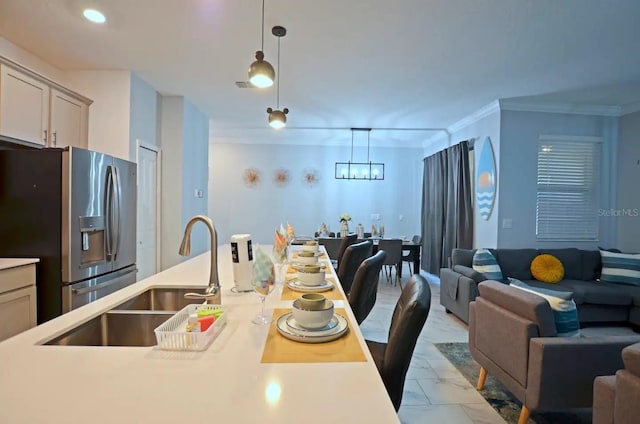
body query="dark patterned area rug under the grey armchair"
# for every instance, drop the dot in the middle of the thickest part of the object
(499, 397)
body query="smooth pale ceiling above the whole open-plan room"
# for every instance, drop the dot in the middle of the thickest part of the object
(416, 65)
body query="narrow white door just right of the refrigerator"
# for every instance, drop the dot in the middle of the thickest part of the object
(148, 211)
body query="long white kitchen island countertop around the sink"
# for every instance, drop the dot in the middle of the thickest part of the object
(225, 383)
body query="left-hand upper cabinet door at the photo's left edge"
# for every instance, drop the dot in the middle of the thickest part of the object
(24, 106)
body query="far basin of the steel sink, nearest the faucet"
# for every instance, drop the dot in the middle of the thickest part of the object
(161, 299)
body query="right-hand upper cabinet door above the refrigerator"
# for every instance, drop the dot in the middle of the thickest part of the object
(68, 120)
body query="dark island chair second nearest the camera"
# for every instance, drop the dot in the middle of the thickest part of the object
(364, 289)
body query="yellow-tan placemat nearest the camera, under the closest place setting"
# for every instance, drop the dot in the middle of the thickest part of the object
(278, 349)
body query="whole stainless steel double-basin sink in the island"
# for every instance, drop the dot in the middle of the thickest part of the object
(131, 323)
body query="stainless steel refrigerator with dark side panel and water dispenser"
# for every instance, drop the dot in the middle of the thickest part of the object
(75, 210)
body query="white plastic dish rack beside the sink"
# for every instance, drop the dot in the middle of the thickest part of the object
(173, 335)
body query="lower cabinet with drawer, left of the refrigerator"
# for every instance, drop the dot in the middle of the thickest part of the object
(17, 300)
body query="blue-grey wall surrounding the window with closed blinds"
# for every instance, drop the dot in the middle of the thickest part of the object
(518, 172)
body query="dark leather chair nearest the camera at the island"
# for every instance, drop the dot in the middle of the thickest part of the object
(393, 358)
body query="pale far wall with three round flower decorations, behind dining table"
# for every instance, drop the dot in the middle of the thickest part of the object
(238, 208)
